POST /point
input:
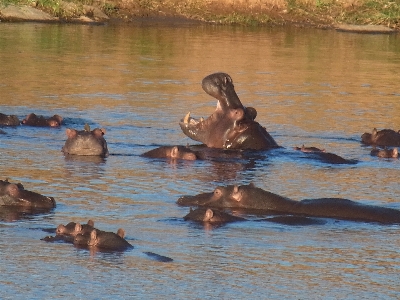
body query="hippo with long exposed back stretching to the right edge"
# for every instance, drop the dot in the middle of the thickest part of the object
(250, 197)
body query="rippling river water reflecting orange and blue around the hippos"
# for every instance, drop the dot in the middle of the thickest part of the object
(314, 87)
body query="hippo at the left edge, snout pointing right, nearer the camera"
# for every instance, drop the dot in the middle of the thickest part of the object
(14, 194)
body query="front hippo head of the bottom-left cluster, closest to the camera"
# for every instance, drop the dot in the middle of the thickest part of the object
(103, 240)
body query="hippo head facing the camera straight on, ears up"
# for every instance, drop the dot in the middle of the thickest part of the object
(86, 142)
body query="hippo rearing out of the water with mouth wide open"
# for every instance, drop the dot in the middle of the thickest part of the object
(231, 126)
